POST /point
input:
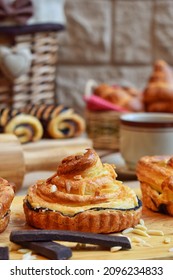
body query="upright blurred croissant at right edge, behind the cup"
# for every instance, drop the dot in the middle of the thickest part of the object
(159, 89)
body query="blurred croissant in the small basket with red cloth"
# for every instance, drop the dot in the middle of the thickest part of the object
(126, 97)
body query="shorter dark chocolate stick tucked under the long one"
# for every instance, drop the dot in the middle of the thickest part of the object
(50, 250)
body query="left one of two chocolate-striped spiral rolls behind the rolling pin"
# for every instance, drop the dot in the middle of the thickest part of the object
(27, 128)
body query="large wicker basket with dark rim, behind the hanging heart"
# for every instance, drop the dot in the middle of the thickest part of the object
(38, 84)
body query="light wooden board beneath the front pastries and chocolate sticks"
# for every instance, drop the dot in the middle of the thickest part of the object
(158, 249)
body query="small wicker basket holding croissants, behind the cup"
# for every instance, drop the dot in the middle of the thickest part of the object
(103, 128)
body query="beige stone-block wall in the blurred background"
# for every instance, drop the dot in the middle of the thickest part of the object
(112, 41)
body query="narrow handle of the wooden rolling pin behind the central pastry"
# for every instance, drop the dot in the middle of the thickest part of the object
(47, 154)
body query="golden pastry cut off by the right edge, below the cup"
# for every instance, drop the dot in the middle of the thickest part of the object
(155, 174)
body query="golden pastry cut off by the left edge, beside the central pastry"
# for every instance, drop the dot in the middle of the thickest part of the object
(6, 198)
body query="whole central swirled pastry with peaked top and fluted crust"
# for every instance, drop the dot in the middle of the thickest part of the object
(83, 195)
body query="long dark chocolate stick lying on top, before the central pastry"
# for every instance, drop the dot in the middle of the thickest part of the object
(71, 236)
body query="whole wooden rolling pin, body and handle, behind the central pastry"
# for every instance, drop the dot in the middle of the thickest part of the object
(45, 155)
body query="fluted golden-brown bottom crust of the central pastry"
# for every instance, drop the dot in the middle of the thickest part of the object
(103, 221)
